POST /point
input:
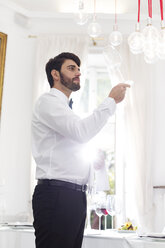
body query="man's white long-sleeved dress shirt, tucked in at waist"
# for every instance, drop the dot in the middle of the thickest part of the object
(59, 137)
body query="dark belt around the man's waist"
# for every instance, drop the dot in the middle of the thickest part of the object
(64, 184)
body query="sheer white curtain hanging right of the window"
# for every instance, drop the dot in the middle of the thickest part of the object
(139, 129)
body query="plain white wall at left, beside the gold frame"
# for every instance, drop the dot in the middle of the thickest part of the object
(15, 155)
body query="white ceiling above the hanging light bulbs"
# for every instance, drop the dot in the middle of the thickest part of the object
(62, 7)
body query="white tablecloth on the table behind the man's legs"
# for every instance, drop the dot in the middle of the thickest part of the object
(15, 238)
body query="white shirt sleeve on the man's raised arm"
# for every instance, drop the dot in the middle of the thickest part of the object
(59, 117)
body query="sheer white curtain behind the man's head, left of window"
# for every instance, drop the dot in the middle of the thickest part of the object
(48, 46)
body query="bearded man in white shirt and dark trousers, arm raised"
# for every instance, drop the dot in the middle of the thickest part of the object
(58, 139)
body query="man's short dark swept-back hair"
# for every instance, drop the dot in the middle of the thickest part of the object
(56, 63)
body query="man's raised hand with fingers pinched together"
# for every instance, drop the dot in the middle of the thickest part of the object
(118, 92)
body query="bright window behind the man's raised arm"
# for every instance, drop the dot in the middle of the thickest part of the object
(95, 89)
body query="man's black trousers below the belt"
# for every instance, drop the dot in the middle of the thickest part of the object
(59, 216)
